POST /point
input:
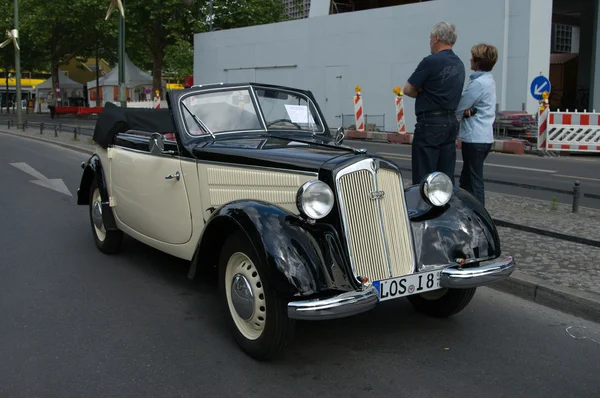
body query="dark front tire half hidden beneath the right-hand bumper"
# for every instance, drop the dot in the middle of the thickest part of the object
(442, 303)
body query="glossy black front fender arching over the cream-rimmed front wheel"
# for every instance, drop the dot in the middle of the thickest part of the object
(302, 259)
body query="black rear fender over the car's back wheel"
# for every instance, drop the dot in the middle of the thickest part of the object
(92, 169)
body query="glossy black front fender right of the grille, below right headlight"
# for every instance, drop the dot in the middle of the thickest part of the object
(461, 229)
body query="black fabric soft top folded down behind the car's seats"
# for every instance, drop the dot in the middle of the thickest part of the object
(114, 120)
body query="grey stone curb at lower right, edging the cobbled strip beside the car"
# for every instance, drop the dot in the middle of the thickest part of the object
(582, 304)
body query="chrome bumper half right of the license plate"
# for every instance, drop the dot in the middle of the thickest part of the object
(479, 276)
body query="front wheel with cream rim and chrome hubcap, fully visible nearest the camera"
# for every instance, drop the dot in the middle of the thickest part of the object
(257, 313)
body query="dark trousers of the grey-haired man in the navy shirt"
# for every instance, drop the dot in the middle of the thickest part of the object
(434, 145)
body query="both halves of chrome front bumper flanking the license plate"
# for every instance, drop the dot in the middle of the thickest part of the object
(355, 302)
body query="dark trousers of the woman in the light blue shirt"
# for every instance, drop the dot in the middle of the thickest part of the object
(471, 177)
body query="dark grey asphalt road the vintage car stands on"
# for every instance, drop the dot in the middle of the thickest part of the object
(79, 323)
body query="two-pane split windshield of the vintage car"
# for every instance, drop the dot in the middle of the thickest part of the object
(235, 110)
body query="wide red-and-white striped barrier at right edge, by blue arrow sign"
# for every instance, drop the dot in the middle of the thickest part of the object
(572, 131)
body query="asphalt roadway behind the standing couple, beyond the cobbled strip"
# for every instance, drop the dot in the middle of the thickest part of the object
(557, 173)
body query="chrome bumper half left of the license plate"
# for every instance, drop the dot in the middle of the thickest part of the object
(340, 306)
